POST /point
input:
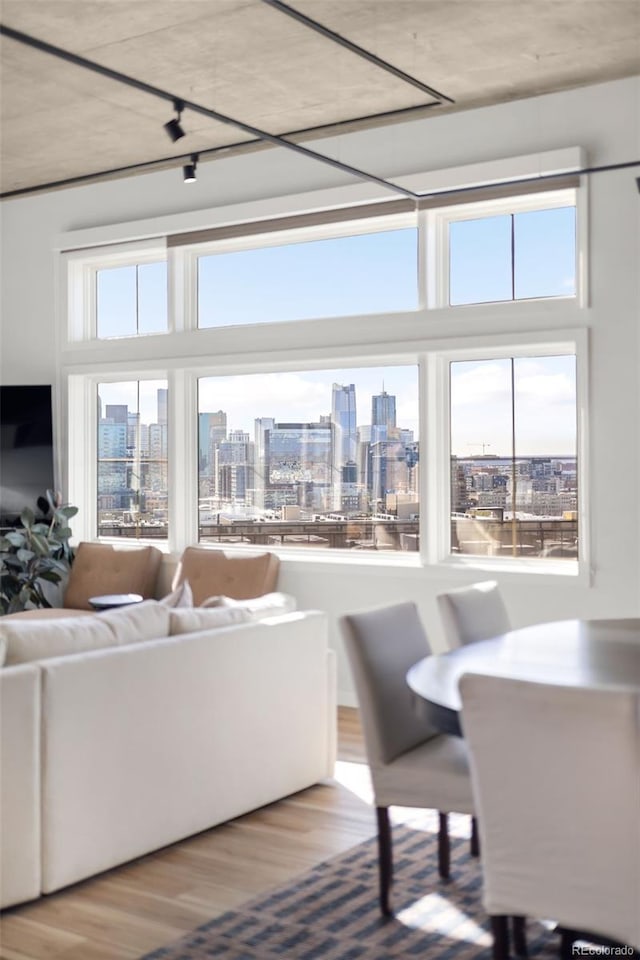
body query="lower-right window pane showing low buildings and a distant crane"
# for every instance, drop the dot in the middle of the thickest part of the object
(514, 478)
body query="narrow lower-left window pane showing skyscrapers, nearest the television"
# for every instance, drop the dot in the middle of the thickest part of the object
(132, 473)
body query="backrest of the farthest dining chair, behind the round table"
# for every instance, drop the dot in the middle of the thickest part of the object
(473, 613)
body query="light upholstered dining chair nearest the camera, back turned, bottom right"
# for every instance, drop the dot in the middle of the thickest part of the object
(556, 779)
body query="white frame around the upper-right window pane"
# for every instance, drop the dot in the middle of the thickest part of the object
(439, 222)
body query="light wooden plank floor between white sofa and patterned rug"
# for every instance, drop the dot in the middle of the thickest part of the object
(133, 909)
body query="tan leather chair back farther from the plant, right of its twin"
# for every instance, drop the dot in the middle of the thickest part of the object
(213, 573)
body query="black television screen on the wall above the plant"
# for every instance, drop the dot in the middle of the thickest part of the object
(26, 450)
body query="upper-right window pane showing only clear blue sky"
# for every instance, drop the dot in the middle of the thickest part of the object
(517, 255)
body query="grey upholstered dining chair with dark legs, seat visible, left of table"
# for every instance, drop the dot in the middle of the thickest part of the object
(412, 764)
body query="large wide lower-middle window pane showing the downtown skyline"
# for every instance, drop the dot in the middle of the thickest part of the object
(324, 458)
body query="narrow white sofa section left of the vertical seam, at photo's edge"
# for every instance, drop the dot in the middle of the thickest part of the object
(20, 784)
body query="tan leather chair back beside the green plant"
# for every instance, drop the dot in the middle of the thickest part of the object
(99, 568)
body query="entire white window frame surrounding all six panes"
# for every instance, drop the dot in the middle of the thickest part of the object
(429, 336)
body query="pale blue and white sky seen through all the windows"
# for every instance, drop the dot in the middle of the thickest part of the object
(364, 274)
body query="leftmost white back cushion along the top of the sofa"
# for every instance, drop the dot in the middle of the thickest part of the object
(29, 640)
